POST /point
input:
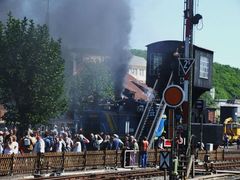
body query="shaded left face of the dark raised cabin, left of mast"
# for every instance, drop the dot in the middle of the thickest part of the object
(161, 62)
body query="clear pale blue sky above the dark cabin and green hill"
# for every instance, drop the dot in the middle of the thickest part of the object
(157, 20)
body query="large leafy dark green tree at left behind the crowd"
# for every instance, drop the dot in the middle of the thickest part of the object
(31, 72)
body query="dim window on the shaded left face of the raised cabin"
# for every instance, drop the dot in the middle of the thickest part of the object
(155, 61)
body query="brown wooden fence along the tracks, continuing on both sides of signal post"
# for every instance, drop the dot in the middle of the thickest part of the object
(69, 161)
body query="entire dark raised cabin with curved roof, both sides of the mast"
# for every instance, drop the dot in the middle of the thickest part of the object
(161, 62)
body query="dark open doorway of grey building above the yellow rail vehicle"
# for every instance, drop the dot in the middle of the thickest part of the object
(228, 111)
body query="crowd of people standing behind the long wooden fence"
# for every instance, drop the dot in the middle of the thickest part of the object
(61, 141)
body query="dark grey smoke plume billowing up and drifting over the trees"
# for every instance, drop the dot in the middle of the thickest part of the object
(97, 24)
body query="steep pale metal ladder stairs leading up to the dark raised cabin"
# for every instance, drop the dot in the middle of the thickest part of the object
(147, 126)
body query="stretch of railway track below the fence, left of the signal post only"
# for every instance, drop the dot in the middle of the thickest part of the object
(116, 175)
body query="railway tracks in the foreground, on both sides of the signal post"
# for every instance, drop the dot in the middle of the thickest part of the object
(214, 167)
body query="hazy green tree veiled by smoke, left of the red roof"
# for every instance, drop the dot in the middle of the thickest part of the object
(90, 85)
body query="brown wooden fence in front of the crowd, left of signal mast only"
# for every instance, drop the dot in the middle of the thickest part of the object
(67, 161)
